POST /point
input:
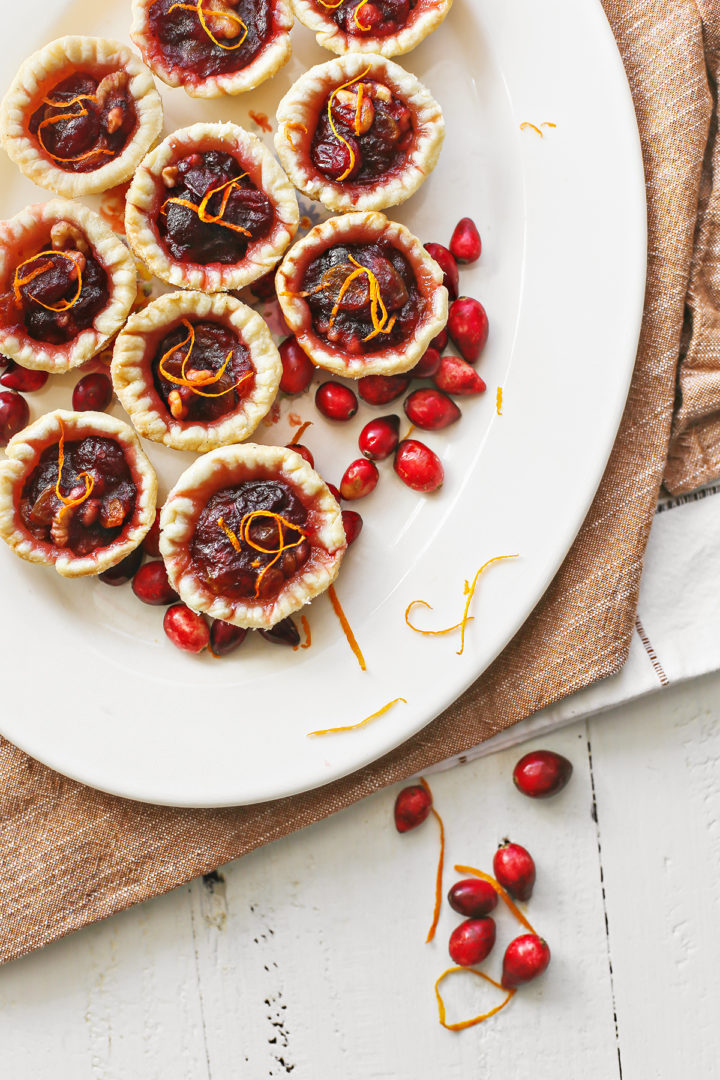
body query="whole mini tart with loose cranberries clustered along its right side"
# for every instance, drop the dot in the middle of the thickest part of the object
(362, 295)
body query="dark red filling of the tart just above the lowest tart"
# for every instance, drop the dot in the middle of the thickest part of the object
(212, 346)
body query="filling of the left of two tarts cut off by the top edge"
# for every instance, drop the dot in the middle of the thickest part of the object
(184, 43)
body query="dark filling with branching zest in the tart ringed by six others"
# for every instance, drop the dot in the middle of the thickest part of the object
(187, 237)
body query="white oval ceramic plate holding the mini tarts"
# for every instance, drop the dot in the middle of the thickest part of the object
(93, 688)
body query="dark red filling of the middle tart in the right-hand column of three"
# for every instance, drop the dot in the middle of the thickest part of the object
(376, 127)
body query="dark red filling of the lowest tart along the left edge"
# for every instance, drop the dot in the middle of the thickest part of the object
(99, 520)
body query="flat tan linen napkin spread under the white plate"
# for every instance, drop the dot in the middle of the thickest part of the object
(70, 855)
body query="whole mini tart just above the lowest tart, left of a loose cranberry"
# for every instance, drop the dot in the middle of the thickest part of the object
(208, 335)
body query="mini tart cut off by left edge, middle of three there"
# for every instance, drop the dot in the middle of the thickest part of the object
(66, 286)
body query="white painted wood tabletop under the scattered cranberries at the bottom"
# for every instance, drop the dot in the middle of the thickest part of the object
(308, 957)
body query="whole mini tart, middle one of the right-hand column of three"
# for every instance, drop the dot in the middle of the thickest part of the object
(385, 138)
